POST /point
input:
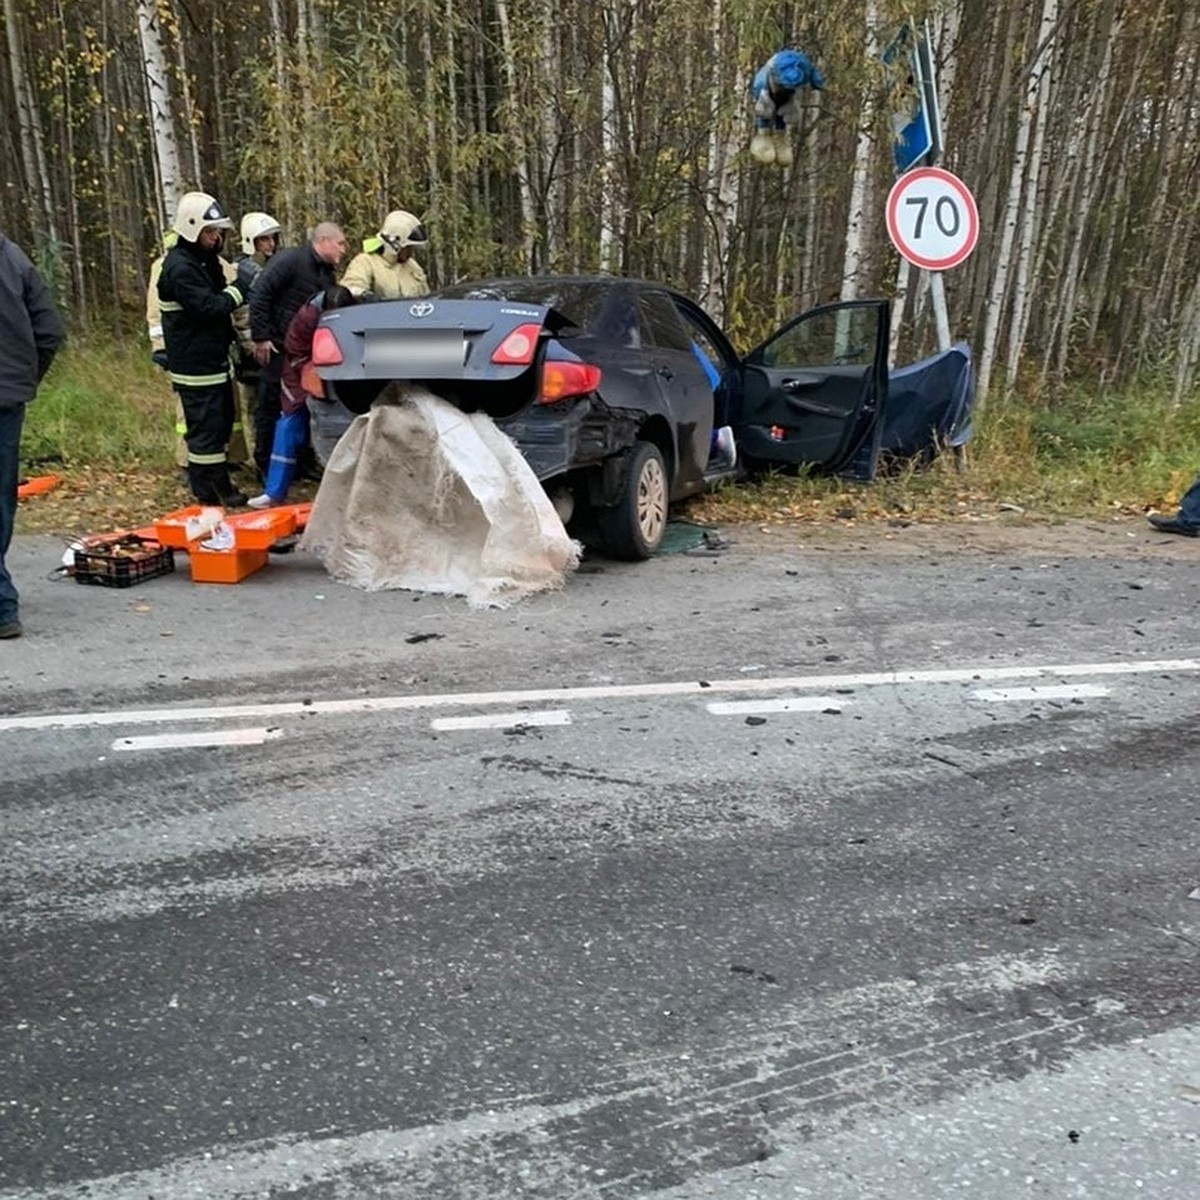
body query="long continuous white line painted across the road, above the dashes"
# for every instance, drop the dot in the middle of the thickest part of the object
(602, 692)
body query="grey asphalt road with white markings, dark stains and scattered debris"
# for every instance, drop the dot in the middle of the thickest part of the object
(772, 873)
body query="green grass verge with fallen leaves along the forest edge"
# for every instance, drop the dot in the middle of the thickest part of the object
(106, 409)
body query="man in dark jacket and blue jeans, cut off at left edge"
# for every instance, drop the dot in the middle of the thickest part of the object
(31, 334)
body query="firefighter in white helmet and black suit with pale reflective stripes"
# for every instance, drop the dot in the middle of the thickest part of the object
(197, 310)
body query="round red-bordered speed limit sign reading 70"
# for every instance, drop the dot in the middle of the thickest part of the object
(933, 219)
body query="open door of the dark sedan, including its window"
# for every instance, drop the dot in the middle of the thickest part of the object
(812, 394)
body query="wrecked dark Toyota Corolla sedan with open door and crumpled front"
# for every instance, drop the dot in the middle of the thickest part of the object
(625, 397)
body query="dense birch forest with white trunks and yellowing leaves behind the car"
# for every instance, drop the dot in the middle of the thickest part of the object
(613, 136)
